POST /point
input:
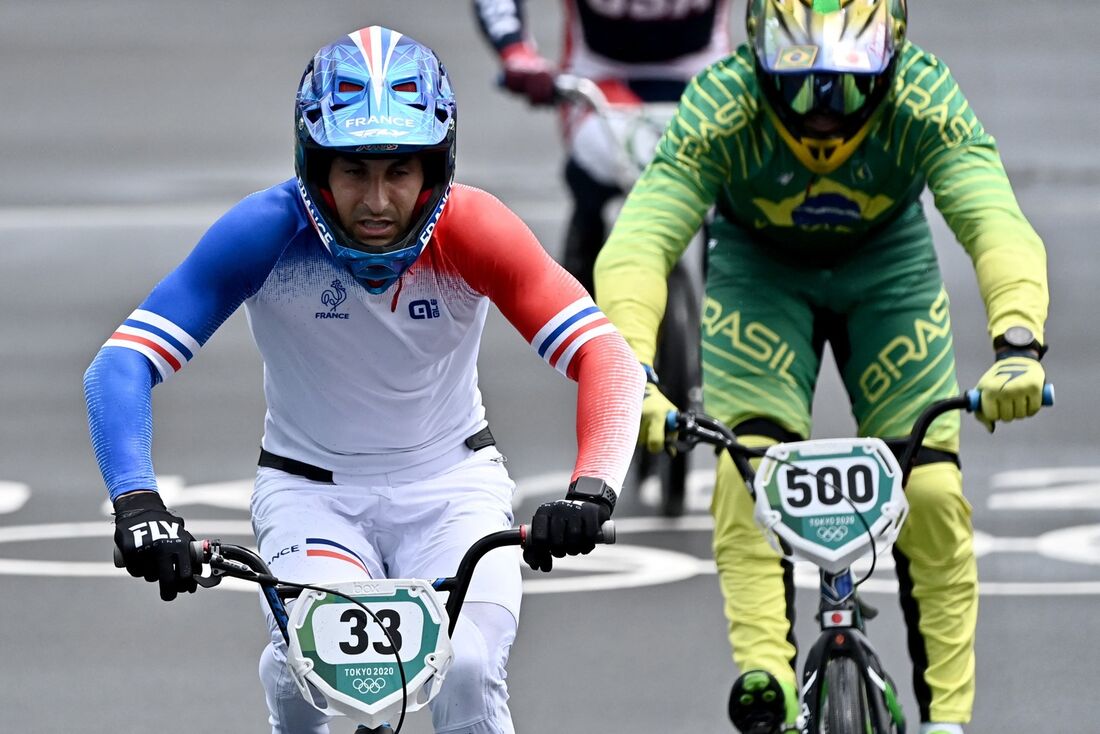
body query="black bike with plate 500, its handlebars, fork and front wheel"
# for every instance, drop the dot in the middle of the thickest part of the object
(842, 615)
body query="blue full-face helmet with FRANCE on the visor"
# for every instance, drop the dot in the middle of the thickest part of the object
(377, 93)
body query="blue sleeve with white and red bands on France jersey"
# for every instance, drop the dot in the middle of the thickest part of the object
(229, 265)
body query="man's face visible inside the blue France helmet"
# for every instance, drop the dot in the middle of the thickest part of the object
(376, 199)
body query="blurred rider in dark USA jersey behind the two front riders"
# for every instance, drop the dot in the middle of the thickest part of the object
(637, 51)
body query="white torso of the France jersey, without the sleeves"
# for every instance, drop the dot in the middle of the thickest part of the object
(367, 384)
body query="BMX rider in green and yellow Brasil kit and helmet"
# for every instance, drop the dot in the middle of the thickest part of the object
(813, 143)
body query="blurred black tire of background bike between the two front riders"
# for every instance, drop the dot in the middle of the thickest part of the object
(677, 365)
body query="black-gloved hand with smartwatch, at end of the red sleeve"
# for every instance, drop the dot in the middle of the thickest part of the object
(569, 527)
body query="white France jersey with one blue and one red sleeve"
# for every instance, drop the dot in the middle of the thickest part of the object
(359, 384)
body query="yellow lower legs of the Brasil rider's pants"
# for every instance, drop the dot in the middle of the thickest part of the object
(938, 542)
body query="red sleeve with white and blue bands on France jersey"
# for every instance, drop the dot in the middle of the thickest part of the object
(499, 257)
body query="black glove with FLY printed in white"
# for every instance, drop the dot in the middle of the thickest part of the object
(153, 543)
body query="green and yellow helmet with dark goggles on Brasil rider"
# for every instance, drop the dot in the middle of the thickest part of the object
(826, 67)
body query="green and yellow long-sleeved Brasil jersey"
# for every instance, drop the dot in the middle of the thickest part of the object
(723, 149)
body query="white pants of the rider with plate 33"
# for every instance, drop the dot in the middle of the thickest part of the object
(414, 524)
